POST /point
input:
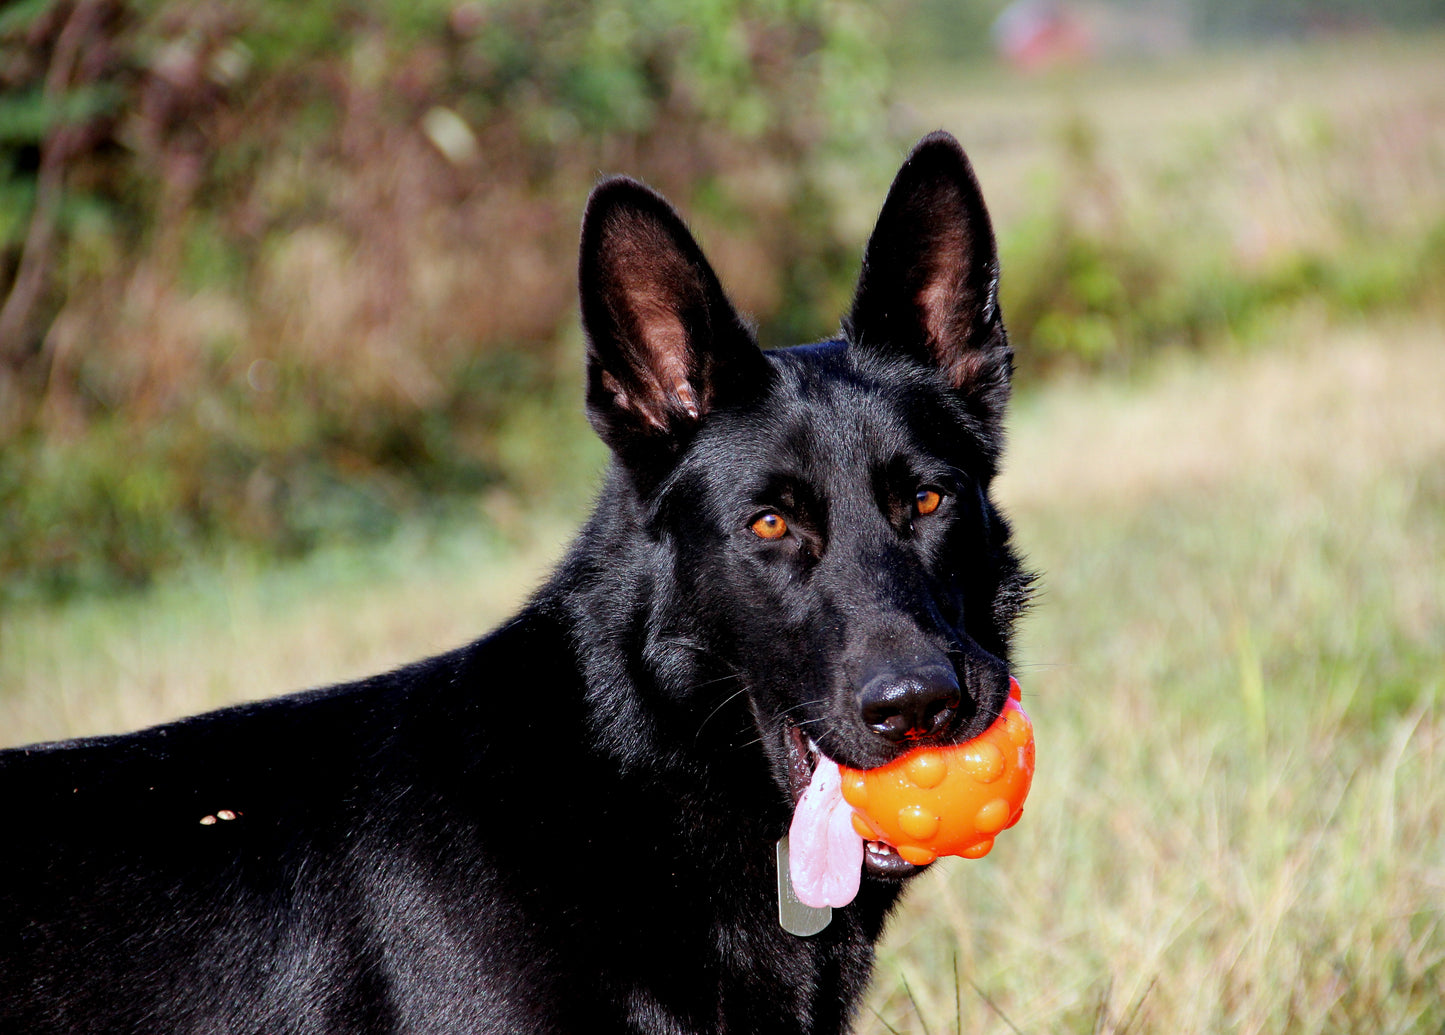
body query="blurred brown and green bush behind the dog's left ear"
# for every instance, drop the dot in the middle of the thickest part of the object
(285, 270)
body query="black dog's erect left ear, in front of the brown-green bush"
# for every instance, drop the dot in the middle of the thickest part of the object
(664, 343)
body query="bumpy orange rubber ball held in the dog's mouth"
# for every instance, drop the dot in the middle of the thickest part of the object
(949, 802)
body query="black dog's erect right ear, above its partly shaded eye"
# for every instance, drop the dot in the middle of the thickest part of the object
(930, 281)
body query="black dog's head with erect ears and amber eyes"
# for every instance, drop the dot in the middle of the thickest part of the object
(821, 515)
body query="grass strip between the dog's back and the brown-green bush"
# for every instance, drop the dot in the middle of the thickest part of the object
(212, 638)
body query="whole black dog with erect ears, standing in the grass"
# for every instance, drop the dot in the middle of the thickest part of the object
(570, 826)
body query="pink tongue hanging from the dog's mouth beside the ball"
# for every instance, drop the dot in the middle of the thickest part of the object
(826, 854)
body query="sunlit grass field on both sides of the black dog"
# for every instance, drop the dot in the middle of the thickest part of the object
(1236, 671)
